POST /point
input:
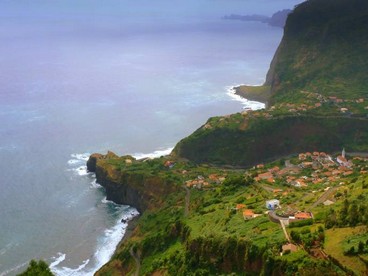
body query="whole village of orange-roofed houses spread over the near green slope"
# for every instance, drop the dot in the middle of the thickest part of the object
(312, 172)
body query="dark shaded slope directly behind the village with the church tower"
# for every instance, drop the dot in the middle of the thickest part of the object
(273, 138)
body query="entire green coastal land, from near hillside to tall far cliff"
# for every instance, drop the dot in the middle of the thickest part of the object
(204, 208)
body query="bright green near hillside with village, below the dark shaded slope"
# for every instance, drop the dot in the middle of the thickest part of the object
(200, 228)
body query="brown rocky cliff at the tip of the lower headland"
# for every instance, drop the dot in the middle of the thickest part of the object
(124, 186)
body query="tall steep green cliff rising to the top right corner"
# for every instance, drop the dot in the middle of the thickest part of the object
(324, 49)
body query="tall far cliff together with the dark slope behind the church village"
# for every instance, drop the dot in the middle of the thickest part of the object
(316, 91)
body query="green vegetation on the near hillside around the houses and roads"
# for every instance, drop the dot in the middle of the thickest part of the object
(213, 237)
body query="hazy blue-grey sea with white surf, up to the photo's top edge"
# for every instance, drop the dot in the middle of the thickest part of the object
(78, 77)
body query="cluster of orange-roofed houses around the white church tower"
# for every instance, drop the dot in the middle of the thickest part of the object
(324, 169)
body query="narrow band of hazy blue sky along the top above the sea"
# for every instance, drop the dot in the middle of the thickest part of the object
(140, 7)
